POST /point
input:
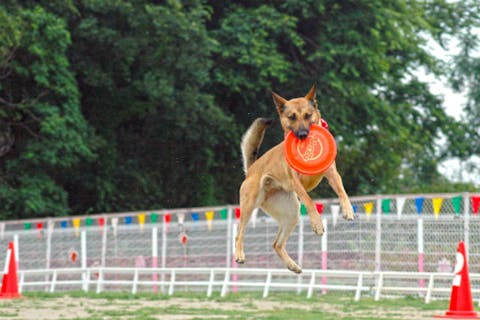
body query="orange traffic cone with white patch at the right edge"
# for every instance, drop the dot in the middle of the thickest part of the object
(461, 302)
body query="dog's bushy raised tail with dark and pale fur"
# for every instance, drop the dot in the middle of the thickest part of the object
(252, 139)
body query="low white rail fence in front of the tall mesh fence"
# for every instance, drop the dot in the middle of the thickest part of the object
(224, 280)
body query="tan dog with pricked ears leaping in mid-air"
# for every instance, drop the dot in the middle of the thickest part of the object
(272, 185)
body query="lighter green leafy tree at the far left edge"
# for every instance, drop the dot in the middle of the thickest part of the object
(40, 109)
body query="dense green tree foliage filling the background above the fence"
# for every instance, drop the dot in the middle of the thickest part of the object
(124, 105)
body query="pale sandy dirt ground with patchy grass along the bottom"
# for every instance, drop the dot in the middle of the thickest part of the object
(65, 308)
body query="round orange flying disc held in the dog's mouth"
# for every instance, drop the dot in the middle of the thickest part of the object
(312, 155)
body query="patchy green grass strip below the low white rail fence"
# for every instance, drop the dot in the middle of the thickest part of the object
(195, 306)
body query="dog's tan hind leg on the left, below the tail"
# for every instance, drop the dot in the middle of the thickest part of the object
(249, 191)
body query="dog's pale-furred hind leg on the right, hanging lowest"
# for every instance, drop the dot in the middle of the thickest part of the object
(284, 207)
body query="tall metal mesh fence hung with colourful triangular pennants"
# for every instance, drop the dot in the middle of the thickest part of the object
(408, 233)
